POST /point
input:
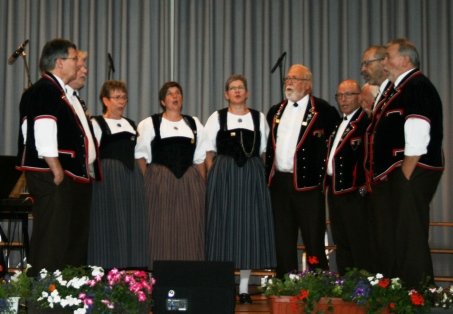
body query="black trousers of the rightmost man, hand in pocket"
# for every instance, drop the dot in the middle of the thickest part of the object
(400, 221)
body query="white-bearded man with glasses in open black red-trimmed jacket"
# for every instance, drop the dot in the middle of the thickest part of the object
(295, 165)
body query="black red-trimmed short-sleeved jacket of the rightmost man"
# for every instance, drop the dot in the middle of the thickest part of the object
(414, 97)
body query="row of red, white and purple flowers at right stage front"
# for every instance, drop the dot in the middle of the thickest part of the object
(374, 293)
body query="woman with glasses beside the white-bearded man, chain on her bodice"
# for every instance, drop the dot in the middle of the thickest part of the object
(239, 225)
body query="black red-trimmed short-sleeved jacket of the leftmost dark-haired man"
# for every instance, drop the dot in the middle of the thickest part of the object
(46, 99)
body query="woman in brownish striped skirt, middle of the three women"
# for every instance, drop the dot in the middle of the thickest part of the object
(169, 151)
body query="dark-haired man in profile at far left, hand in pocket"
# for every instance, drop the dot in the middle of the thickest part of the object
(54, 150)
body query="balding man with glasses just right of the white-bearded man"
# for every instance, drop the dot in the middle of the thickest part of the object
(345, 181)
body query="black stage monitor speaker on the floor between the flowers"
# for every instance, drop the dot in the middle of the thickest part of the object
(193, 287)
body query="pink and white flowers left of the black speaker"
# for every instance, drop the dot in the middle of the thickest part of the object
(89, 289)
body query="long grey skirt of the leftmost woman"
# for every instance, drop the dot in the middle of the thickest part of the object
(118, 226)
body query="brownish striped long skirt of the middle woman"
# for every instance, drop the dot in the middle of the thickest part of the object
(176, 214)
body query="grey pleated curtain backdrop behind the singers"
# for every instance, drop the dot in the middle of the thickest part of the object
(201, 42)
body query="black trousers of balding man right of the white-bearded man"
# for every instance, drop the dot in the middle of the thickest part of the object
(350, 226)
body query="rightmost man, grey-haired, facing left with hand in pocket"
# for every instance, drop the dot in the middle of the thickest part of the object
(405, 163)
